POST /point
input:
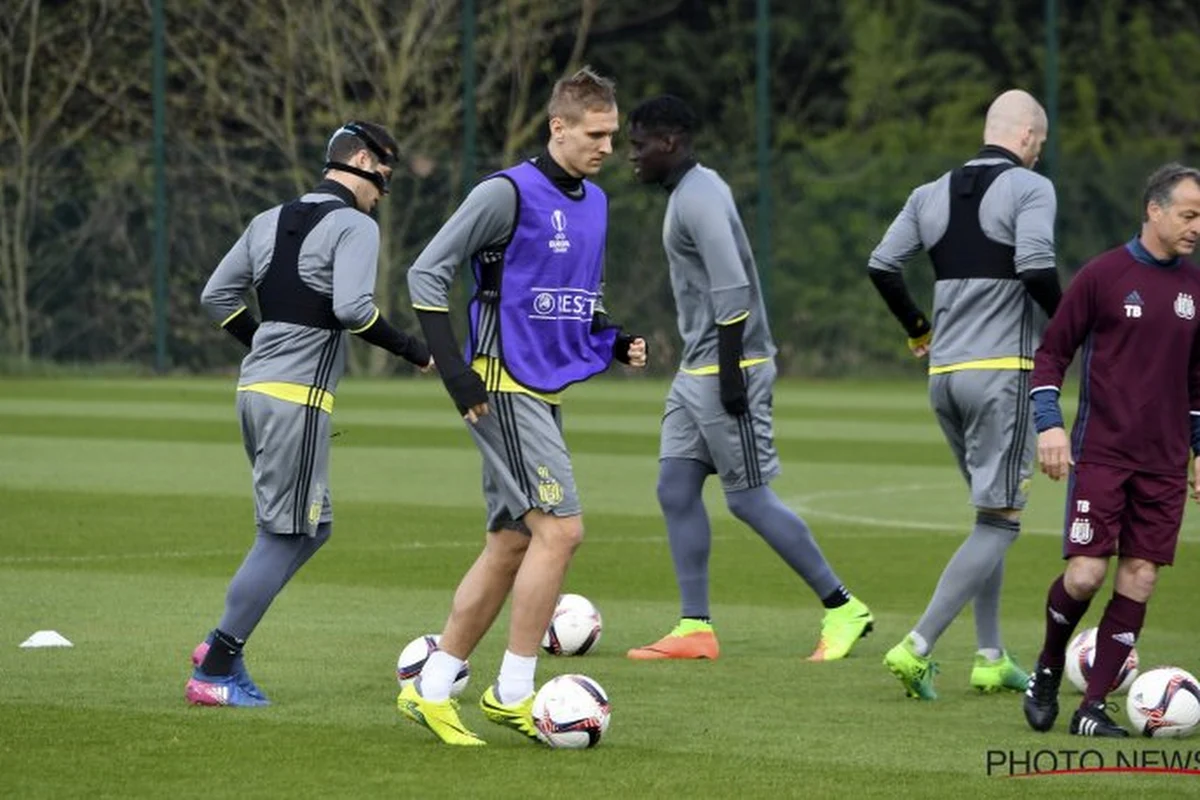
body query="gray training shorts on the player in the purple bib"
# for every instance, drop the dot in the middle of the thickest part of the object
(526, 464)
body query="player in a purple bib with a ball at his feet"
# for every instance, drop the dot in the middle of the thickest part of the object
(536, 237)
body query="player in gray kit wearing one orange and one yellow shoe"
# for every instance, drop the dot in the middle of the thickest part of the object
(718, 414)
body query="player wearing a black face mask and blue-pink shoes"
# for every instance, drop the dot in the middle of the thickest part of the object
(313, 264)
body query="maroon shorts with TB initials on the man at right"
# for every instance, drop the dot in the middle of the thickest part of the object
(1114, 512)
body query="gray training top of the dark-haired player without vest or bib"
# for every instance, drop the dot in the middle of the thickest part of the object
(713, 273)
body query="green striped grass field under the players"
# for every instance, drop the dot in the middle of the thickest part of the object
(125, 509)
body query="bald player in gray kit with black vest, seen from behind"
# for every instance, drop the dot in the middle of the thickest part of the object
(988, 227)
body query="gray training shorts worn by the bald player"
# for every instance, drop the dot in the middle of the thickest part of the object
(986, 416)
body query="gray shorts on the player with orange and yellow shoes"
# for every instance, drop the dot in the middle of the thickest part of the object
(739, 449)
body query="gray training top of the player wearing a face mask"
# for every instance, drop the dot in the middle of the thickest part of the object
(339, 260)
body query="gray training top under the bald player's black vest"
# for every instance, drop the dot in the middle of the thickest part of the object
(979, 320)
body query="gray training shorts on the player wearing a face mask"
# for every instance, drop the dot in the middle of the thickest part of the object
(289, 450)
